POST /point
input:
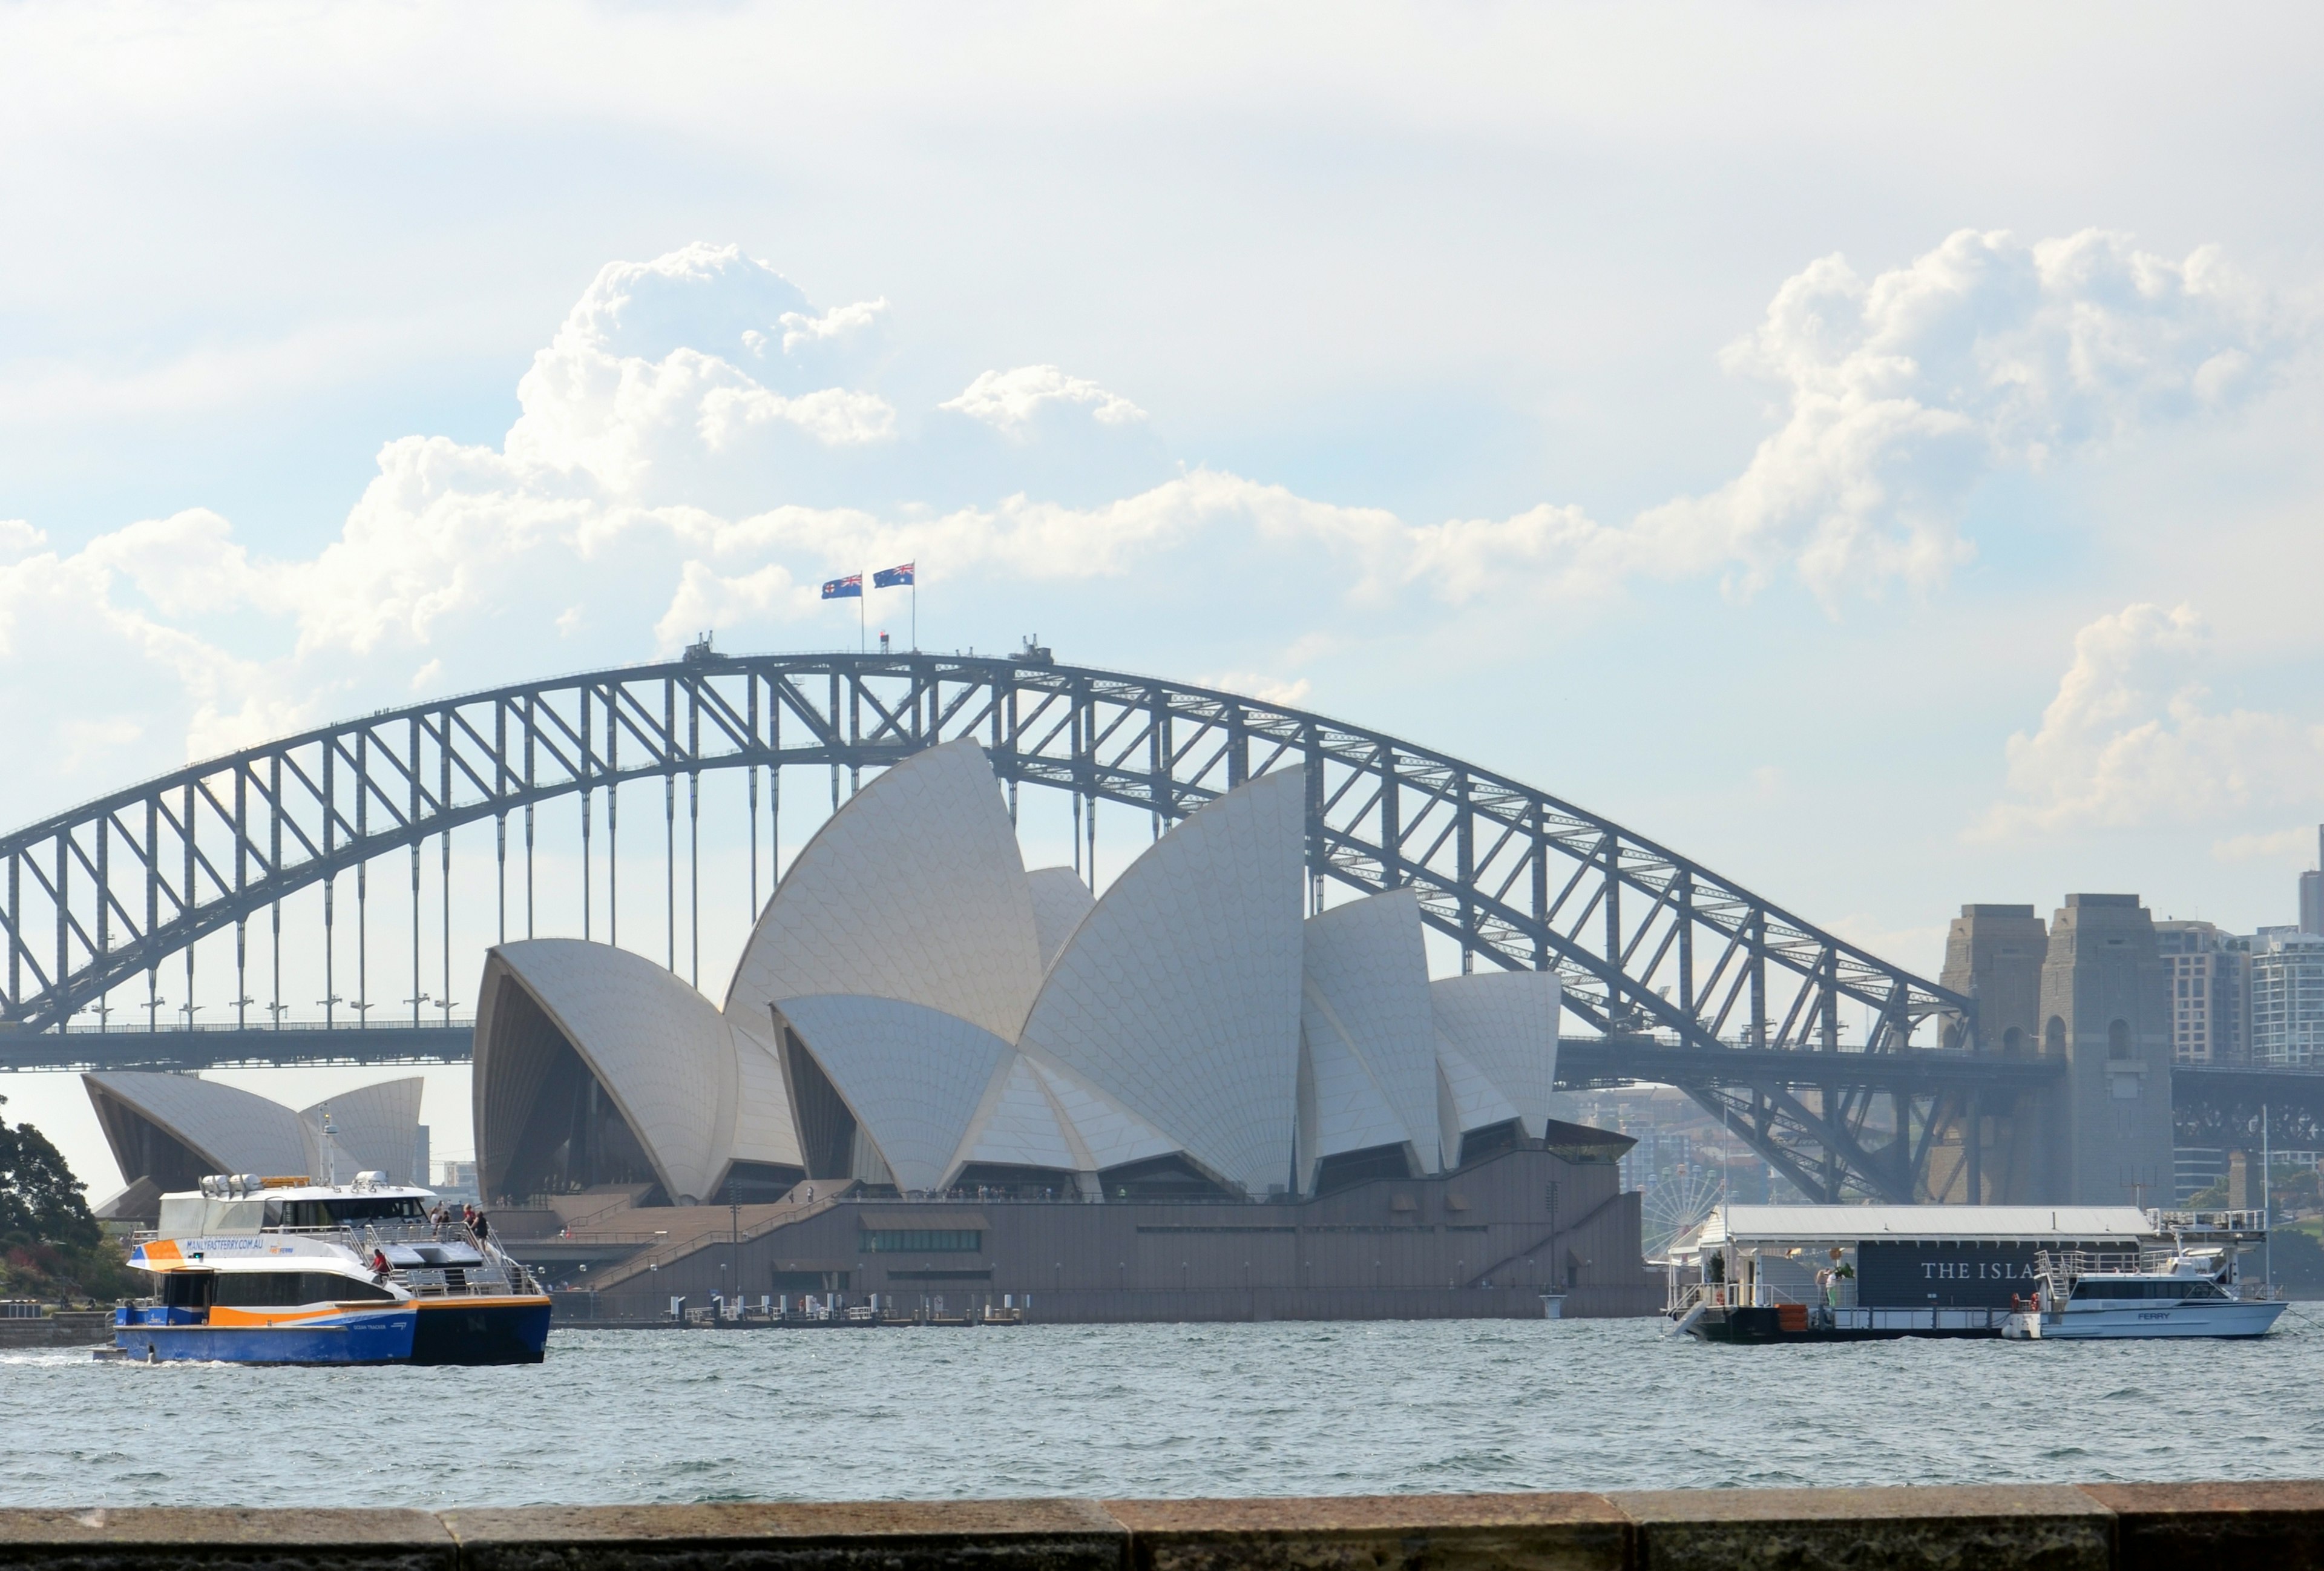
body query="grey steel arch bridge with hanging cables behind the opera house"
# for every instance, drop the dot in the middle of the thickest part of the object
(1835, 1066)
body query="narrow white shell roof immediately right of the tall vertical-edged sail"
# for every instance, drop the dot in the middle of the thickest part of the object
(1370, 1026)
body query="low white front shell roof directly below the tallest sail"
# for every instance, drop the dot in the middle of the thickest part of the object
(914, 1077)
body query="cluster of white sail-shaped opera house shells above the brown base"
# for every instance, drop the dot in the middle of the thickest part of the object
(919, 1014)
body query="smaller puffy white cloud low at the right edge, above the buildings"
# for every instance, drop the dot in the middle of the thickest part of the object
(2135, 740)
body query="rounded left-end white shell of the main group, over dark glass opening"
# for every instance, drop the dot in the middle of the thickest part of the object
(657, 1047)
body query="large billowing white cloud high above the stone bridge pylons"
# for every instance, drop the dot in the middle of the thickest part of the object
(1902, 392)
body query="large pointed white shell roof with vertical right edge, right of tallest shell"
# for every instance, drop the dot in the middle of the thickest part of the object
(1179, 991)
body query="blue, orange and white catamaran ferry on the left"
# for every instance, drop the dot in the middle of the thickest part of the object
(292, 1272)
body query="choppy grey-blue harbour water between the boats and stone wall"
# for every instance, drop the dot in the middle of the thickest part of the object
(1159, 1412)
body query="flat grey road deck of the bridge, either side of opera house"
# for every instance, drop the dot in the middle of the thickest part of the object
(2221, 1093)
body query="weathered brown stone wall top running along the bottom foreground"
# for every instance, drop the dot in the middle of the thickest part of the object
(1988, 1528)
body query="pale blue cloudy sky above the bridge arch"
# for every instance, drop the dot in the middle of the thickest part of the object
(1867, 450)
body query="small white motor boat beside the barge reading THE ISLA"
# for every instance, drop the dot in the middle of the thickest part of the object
(2153, 1293)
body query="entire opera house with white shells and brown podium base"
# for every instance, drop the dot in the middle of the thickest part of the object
(940, 1073)
